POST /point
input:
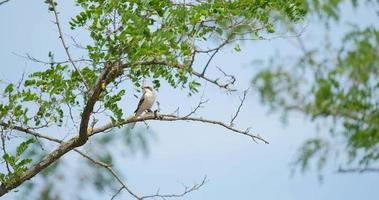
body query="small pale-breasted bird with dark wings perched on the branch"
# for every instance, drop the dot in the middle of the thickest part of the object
(146, 102)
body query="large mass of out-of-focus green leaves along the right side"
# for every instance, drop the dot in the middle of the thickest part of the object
(334, 83)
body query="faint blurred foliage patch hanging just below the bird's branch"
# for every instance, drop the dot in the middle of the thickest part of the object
(116, 146)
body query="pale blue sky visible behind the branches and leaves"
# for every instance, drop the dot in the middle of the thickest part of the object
(183, 153)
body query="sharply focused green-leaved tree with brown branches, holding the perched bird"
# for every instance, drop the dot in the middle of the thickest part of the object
(130, 41)
